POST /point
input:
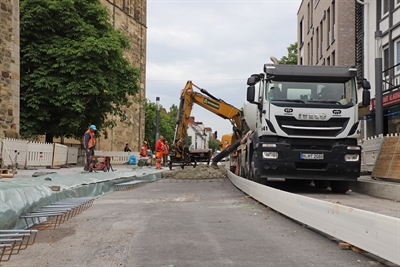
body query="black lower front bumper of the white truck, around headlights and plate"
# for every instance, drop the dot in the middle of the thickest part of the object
(292, 163)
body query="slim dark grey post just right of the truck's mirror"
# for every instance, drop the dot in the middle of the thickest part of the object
(378, 84)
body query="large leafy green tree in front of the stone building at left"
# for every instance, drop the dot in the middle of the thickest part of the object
(73, 71)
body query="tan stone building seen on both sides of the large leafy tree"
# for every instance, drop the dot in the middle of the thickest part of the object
(129, 16)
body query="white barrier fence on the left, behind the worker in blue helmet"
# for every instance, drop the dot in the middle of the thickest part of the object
(37, 154)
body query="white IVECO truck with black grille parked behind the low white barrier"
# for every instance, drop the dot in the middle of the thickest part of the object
(304, 125)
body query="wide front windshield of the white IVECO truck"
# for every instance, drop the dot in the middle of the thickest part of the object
(312, 92)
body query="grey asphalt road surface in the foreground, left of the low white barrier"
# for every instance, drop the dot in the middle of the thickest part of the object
(181, 223)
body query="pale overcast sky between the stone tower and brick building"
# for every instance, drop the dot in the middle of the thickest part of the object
(217, 44)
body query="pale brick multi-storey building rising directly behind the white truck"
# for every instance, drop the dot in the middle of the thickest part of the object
(326, 33)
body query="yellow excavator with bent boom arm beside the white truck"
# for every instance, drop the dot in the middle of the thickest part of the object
(180, 153)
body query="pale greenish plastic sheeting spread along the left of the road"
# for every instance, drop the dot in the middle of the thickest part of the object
(19, 196)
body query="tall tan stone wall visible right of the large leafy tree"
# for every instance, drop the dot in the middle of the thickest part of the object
(129, 16)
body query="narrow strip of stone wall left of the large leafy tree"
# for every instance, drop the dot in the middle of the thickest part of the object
(9, 64)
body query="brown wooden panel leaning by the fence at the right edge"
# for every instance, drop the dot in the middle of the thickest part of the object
(387, 165)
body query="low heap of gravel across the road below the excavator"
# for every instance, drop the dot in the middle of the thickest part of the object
(200, 172)
